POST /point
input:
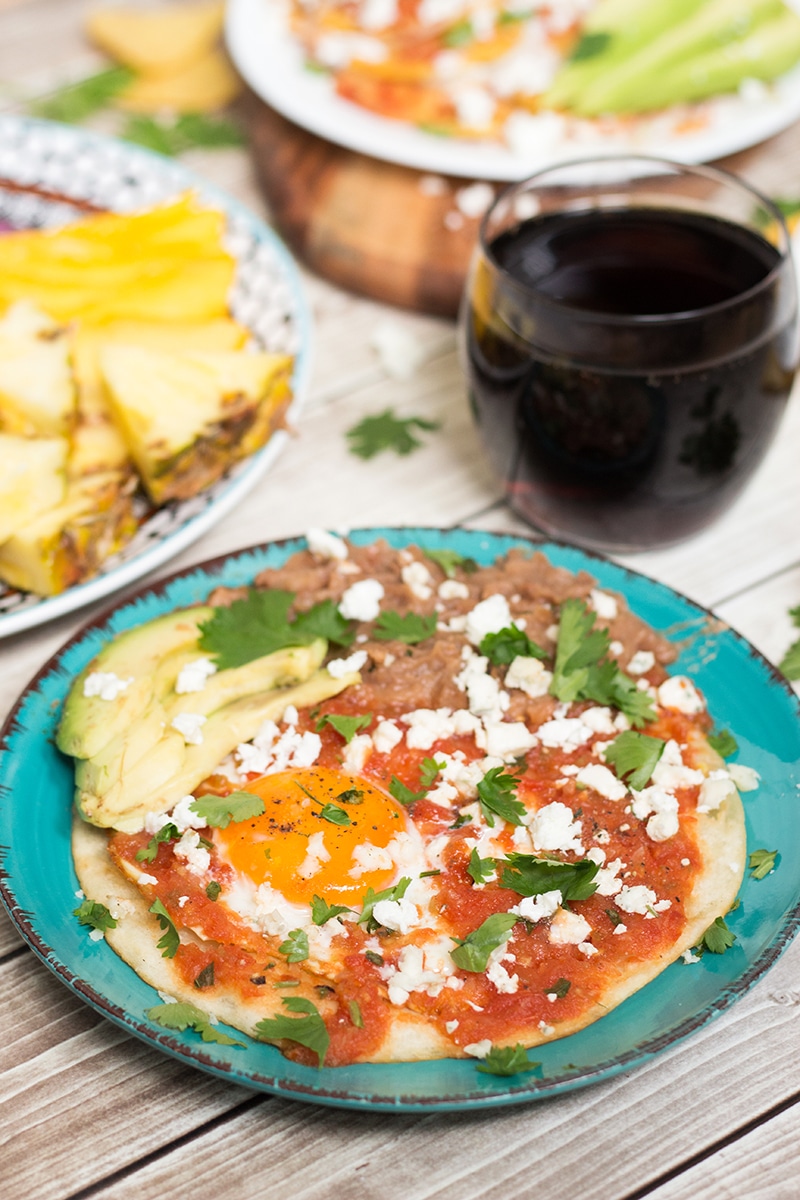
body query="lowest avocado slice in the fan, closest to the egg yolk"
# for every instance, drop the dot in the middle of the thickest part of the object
(152, 788)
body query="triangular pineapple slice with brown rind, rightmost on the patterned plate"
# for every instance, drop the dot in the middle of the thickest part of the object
(188, 417)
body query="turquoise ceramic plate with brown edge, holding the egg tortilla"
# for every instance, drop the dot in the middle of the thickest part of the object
(745, 694)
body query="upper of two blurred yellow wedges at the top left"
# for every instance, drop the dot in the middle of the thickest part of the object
(158, 41)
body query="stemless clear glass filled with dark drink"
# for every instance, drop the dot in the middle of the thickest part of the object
(628, 368)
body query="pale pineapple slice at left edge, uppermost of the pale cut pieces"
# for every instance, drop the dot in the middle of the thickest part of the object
(37, 391)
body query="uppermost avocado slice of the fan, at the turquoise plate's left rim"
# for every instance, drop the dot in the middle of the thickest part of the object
(88, 723)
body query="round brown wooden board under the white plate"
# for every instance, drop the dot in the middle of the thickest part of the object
(369, 226)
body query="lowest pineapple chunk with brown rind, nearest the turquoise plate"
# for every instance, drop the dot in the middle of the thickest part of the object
(67, 544)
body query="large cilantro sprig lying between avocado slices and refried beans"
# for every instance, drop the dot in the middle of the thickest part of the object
(260, 625)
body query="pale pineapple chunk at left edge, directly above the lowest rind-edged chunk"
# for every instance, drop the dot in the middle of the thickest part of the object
(32, 479)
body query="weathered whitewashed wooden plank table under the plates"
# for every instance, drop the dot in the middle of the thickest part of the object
(87, 1111)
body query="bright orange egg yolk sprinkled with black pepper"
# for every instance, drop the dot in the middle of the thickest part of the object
(306, 842)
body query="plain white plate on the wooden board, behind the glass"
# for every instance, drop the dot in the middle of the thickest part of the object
(273, 63)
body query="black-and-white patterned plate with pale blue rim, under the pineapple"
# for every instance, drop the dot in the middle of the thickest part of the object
(56, 172)
